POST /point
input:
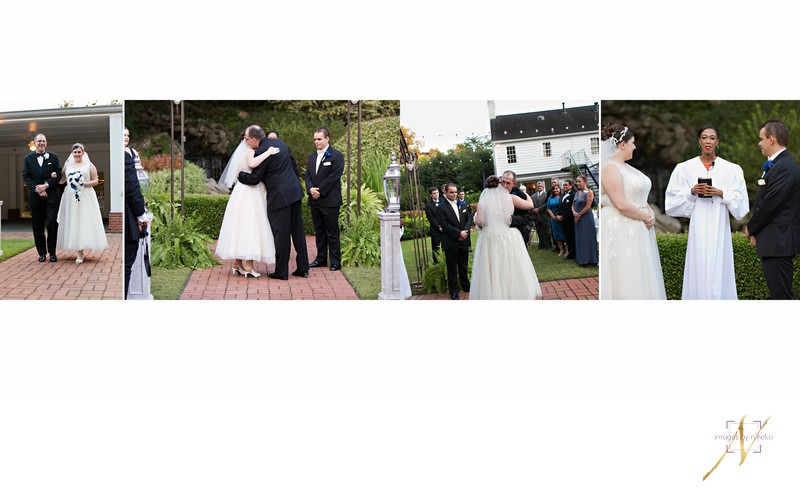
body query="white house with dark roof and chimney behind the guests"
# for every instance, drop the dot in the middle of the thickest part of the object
(542, 145)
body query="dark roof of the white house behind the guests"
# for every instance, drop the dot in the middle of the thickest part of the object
(545, 123)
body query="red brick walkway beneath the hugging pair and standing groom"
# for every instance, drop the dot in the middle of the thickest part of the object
(218, 283)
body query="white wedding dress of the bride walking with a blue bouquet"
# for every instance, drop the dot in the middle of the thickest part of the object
(80, 224)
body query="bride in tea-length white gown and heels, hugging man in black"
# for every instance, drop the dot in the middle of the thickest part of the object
(245, 235)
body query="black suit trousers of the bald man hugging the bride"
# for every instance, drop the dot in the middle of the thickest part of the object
(287, 228)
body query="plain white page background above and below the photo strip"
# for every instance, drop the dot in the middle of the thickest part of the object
(395, 399)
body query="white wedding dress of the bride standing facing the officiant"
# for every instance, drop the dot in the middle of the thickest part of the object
(630, 267)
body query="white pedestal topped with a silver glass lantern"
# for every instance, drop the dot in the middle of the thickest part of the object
(391, 256)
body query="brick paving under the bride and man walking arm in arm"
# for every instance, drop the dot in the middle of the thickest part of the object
(99, 277)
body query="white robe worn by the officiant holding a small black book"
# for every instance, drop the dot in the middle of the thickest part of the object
(709, 272)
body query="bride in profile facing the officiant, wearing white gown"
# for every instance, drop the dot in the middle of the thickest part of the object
(630, 267)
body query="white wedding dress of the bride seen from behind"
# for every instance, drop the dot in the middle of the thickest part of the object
(501, 268)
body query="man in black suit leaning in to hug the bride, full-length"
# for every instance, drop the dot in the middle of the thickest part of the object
(284, 195)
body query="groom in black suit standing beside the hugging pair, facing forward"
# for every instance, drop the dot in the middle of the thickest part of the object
(324, 170)
